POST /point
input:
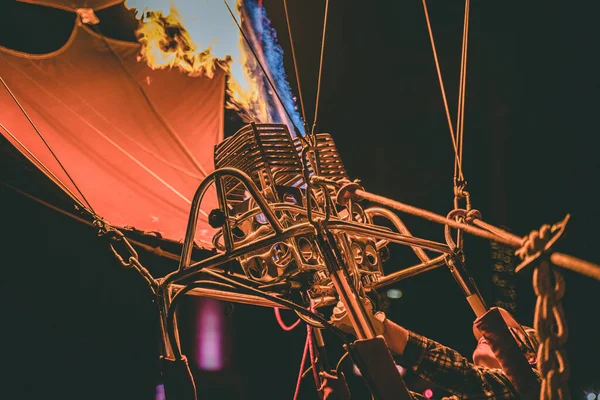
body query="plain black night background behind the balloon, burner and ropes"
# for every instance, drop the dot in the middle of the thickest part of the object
(78, 326)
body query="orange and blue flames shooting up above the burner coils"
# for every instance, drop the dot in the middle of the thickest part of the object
(167, 43)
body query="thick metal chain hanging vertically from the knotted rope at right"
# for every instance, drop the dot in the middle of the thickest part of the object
(549, 320)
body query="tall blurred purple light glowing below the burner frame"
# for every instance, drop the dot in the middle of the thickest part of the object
(209, 333)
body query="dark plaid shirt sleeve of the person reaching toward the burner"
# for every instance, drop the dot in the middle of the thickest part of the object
(448, 369)
